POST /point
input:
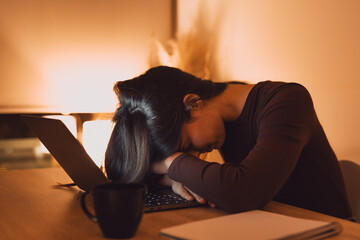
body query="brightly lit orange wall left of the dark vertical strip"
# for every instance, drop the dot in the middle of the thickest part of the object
(69, 53)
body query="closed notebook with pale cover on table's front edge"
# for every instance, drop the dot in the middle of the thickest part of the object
(256, 224)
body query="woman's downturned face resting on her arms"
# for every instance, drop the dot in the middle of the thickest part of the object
(204, 132)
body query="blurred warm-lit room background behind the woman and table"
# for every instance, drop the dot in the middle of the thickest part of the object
(61, 59)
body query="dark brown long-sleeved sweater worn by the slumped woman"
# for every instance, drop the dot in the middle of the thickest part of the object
(275, 150)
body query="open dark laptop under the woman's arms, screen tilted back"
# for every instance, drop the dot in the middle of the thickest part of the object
(73, 158)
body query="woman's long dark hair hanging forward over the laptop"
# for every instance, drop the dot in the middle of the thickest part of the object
(148, 123)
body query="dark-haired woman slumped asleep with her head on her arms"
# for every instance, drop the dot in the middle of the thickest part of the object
(271, 141)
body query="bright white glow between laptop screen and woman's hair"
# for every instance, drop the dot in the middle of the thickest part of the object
(96, 135)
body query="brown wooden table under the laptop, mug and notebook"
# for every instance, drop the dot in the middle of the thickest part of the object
(32, 207)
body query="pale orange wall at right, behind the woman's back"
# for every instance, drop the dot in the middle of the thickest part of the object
(315, 43)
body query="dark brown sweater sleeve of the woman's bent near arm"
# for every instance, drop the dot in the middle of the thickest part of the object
(283, 130)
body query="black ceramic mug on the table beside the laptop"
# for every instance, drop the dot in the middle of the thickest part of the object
(118, 208)
